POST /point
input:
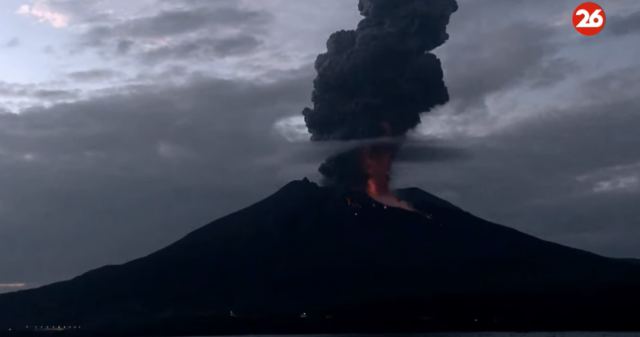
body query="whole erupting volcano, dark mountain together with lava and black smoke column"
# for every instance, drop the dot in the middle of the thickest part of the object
(318, 259)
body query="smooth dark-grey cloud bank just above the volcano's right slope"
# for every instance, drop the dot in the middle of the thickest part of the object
(546, 177)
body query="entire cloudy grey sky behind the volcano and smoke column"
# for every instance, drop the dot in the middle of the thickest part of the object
(124, 125)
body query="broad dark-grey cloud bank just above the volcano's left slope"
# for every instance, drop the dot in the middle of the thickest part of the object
(113, 178)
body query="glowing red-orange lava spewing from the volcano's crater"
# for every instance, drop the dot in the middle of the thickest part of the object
(377, 161)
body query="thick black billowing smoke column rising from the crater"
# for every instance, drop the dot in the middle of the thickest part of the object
(375, 81)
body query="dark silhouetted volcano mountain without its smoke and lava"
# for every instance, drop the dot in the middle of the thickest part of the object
(323, 259)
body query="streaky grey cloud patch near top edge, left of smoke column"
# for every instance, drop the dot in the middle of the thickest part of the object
(192, 31)
